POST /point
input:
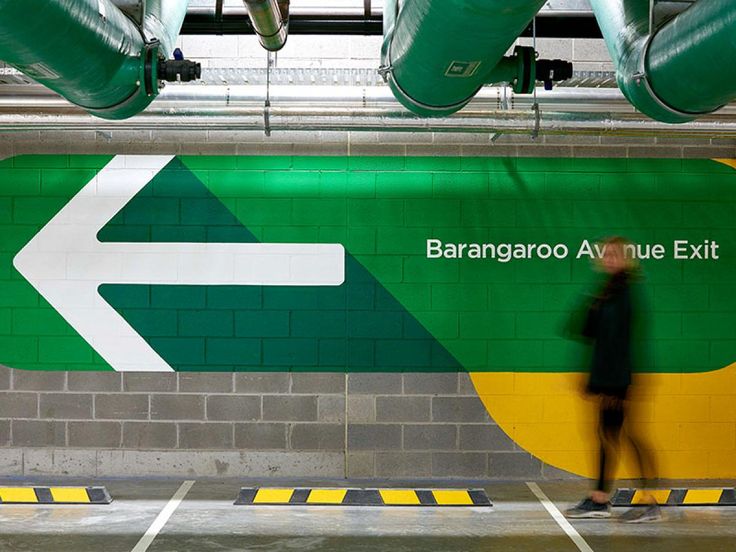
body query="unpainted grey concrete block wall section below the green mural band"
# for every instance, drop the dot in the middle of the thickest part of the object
(253, 425)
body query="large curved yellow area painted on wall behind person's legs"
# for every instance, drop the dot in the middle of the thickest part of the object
(687, 420)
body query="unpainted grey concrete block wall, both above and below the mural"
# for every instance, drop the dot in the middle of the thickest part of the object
(280, 424)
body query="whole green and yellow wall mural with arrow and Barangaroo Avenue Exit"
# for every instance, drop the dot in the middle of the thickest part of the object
(160, 263)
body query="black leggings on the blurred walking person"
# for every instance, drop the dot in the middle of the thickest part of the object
(612, 416)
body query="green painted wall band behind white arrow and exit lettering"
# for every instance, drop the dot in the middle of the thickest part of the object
(397, 310)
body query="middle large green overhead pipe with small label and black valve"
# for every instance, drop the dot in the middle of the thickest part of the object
(438, 53)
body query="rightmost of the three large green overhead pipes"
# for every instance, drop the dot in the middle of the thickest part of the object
(685, 69)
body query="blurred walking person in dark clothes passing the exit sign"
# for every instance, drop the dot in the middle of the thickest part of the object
(609, 325)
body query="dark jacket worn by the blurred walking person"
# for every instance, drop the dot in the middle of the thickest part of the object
(608, 325)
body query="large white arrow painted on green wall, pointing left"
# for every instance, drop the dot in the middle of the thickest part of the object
(66, 263)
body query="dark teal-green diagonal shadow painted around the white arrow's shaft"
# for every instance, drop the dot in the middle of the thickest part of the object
(358, 326)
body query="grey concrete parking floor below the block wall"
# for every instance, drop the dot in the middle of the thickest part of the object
(207, 521)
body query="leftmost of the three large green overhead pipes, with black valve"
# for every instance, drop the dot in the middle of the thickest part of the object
(90, 52)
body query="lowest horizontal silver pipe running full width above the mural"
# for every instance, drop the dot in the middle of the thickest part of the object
(339, 119)
